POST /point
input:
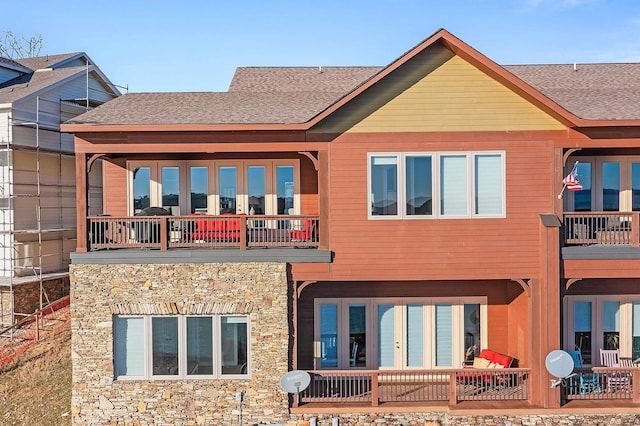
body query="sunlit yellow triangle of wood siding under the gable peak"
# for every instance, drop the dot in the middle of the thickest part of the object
(456, 97)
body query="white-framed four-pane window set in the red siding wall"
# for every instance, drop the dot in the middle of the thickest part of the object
(445, 185)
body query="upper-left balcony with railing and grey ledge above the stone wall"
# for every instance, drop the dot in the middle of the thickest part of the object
(202, 238)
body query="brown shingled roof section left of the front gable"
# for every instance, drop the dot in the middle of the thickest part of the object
(261, 95)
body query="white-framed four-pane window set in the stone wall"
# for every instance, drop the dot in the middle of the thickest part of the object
(147, 347)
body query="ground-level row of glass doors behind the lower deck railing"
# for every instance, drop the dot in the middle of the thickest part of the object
(398, 333)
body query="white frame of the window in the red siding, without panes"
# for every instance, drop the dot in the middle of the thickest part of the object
(436, 191)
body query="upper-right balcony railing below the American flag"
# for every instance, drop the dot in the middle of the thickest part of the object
(602, 228)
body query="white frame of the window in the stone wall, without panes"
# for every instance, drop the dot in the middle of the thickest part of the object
(182, 349)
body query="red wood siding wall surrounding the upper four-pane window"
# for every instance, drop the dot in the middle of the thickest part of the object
(473, 248)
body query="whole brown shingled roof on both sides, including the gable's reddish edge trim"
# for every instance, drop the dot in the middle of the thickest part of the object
(297, 95)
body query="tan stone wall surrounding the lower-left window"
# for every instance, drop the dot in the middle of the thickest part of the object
(99, 290)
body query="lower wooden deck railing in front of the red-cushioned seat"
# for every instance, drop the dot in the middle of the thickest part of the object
(386, 386)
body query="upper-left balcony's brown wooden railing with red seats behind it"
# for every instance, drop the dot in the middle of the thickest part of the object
(199, 231)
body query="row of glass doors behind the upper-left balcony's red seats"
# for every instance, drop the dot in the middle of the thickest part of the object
(266, 187)
